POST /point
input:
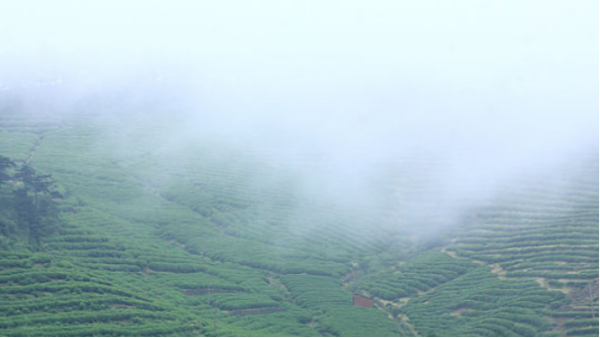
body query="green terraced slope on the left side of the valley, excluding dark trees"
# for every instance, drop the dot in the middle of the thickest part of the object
(131, 259)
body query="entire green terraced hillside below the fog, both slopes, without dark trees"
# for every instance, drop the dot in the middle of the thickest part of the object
(160, 238)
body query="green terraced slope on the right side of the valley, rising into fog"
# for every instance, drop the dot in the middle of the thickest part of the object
(525, 266)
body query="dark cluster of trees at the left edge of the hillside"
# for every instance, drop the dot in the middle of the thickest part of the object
(28, 201)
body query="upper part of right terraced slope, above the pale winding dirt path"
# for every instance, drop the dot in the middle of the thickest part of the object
(549, 234)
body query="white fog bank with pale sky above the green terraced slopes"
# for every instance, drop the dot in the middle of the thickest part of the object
(339, 93)
